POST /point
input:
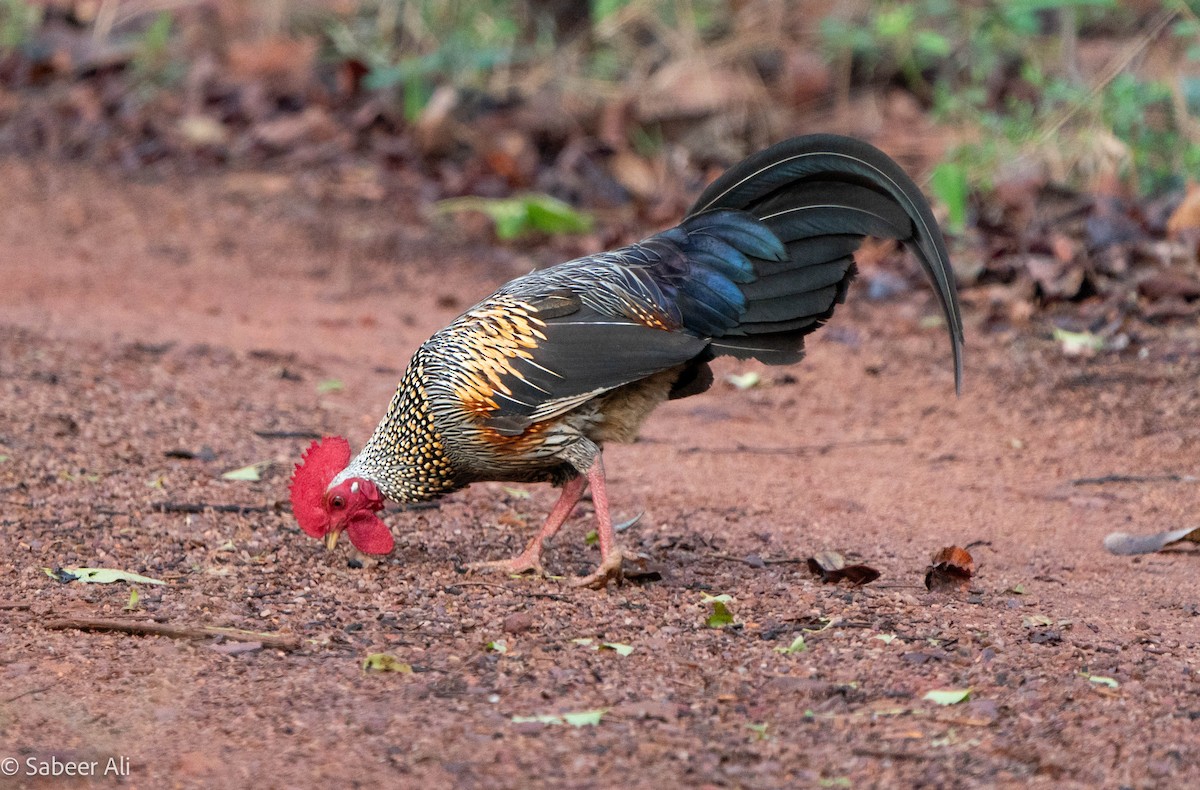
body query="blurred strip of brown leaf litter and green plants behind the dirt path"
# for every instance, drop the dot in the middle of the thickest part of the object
(1061, 129)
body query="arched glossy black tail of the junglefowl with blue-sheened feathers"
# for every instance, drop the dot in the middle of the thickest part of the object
(819, 195)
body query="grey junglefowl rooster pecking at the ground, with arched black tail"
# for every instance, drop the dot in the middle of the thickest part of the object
(531, 384)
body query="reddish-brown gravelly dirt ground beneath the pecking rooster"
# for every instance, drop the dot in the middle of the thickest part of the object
(154, 336)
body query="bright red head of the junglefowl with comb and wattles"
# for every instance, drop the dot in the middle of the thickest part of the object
(327, 511)
